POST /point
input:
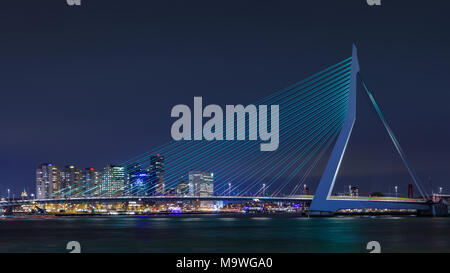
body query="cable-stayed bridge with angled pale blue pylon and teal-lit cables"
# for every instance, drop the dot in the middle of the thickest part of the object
(316, 115)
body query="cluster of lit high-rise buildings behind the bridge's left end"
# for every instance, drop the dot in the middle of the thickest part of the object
(54, 182)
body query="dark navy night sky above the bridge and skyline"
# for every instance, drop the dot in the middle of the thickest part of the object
(95, 84)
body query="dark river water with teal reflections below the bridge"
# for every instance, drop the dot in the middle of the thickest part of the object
(225, 234)
